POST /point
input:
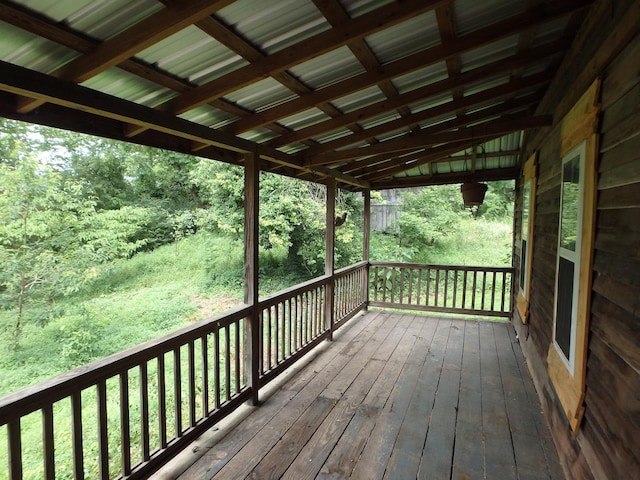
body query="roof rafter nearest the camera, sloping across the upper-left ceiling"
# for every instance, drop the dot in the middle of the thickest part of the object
(143, 34)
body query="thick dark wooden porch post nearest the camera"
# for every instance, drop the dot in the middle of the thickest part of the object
(252, 327)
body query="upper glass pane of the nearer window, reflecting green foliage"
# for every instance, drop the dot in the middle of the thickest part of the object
(570, 203)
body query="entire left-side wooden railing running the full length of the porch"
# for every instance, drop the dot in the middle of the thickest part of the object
(125, 415)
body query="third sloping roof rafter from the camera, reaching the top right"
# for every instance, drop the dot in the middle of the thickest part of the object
(505, 28)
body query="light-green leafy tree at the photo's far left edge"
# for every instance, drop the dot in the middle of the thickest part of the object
(41, 212)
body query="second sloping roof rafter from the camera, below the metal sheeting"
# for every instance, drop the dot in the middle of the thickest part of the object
(324, 42)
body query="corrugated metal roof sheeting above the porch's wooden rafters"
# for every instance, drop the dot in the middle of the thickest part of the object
(193, 58)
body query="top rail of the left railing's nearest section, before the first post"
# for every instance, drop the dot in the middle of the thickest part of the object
(31, 398)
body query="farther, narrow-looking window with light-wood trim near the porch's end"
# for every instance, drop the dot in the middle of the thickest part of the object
(526, 236)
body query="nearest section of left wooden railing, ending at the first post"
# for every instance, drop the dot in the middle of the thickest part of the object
(126, 414)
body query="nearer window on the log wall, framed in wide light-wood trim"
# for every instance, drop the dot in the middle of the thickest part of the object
(567, 356)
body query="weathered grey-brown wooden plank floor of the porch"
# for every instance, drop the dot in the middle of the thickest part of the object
(396, 396)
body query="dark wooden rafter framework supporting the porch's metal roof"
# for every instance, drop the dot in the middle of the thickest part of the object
(419, 134)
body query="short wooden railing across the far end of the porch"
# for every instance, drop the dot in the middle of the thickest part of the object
(441, 288)
